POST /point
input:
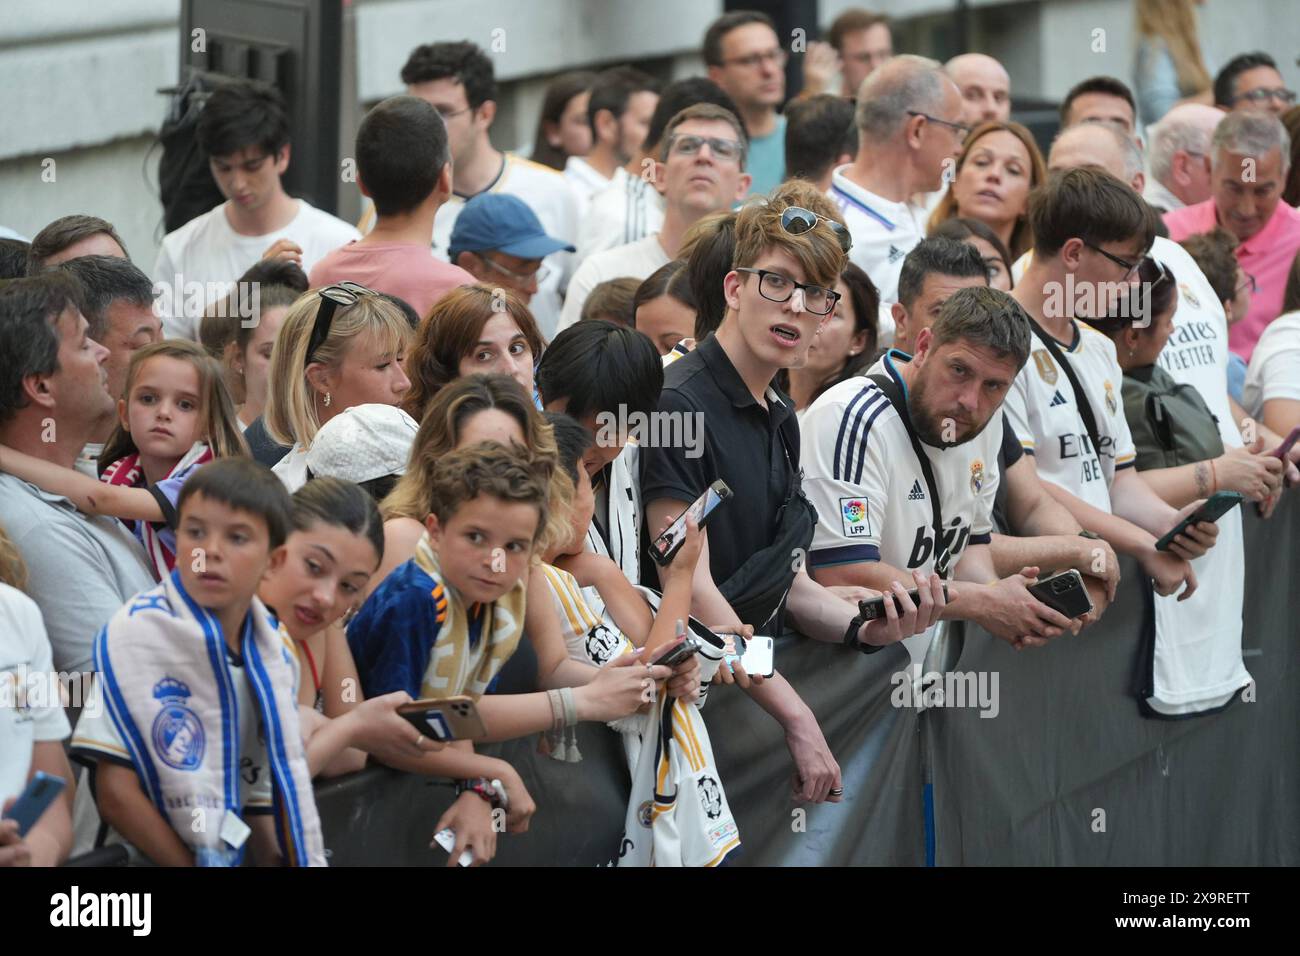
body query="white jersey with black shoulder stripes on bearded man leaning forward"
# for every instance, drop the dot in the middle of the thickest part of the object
(873, 503)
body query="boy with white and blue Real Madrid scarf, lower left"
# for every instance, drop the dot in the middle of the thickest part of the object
(194, 734)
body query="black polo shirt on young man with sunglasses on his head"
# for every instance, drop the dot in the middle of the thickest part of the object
(743, 445)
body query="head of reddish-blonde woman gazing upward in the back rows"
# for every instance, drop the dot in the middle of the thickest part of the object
(999, 166)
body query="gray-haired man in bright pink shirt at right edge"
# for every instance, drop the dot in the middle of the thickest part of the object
(1250, 159)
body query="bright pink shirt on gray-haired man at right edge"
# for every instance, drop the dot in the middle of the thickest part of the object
(1267, 256)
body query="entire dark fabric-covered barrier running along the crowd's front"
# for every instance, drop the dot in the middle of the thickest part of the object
(1022, 788)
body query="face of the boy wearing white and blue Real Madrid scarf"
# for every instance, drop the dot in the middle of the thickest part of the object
(220, 552)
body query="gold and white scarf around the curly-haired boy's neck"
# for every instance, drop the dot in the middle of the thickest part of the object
(454, 667)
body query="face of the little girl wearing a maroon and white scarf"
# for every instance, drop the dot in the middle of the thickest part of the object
(162, 412)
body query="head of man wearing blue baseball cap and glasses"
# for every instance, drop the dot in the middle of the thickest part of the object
(500, 241)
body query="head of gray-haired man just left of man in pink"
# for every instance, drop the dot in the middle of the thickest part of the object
(1180, 157)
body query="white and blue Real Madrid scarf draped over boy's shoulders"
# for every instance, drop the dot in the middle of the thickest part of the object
(170, 691)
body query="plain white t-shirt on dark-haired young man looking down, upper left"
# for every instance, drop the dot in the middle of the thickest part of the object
(206, 250)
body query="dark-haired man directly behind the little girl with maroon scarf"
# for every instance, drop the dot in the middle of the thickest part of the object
(118, 301)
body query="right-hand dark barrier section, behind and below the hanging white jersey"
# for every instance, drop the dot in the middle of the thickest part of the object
(1069, 773)
